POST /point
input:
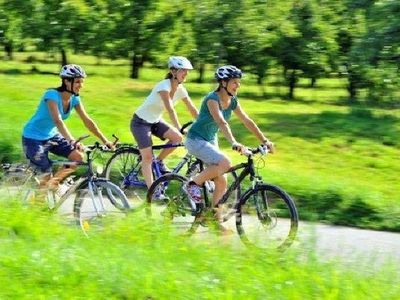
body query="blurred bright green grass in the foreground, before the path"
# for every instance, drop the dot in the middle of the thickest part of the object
(41, 258)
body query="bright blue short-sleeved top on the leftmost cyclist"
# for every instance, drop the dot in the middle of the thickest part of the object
(41, 125)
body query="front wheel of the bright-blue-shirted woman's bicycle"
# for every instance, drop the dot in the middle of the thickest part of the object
(98, 203)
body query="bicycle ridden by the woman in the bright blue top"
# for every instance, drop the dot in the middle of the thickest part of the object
(95, 200)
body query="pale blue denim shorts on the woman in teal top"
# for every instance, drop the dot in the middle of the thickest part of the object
(208, 152)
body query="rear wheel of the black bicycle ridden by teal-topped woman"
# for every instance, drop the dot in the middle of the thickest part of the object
(173, 207)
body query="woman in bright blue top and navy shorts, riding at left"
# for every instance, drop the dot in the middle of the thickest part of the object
(46, 131)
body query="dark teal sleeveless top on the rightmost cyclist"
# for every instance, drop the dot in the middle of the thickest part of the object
(205, 127)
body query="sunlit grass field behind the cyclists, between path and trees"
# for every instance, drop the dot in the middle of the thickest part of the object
(339, 161)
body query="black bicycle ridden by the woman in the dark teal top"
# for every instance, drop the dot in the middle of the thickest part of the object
(266, 216)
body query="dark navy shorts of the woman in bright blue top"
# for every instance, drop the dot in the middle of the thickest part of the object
(38, 151)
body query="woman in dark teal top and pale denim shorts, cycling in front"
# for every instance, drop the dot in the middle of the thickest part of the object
(202, 142)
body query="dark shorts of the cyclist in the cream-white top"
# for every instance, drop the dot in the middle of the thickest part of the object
(142, 131)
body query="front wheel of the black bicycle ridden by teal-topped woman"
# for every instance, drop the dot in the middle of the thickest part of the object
(267, 218)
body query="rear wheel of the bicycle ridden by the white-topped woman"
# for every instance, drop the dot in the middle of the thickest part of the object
(124, 169)
